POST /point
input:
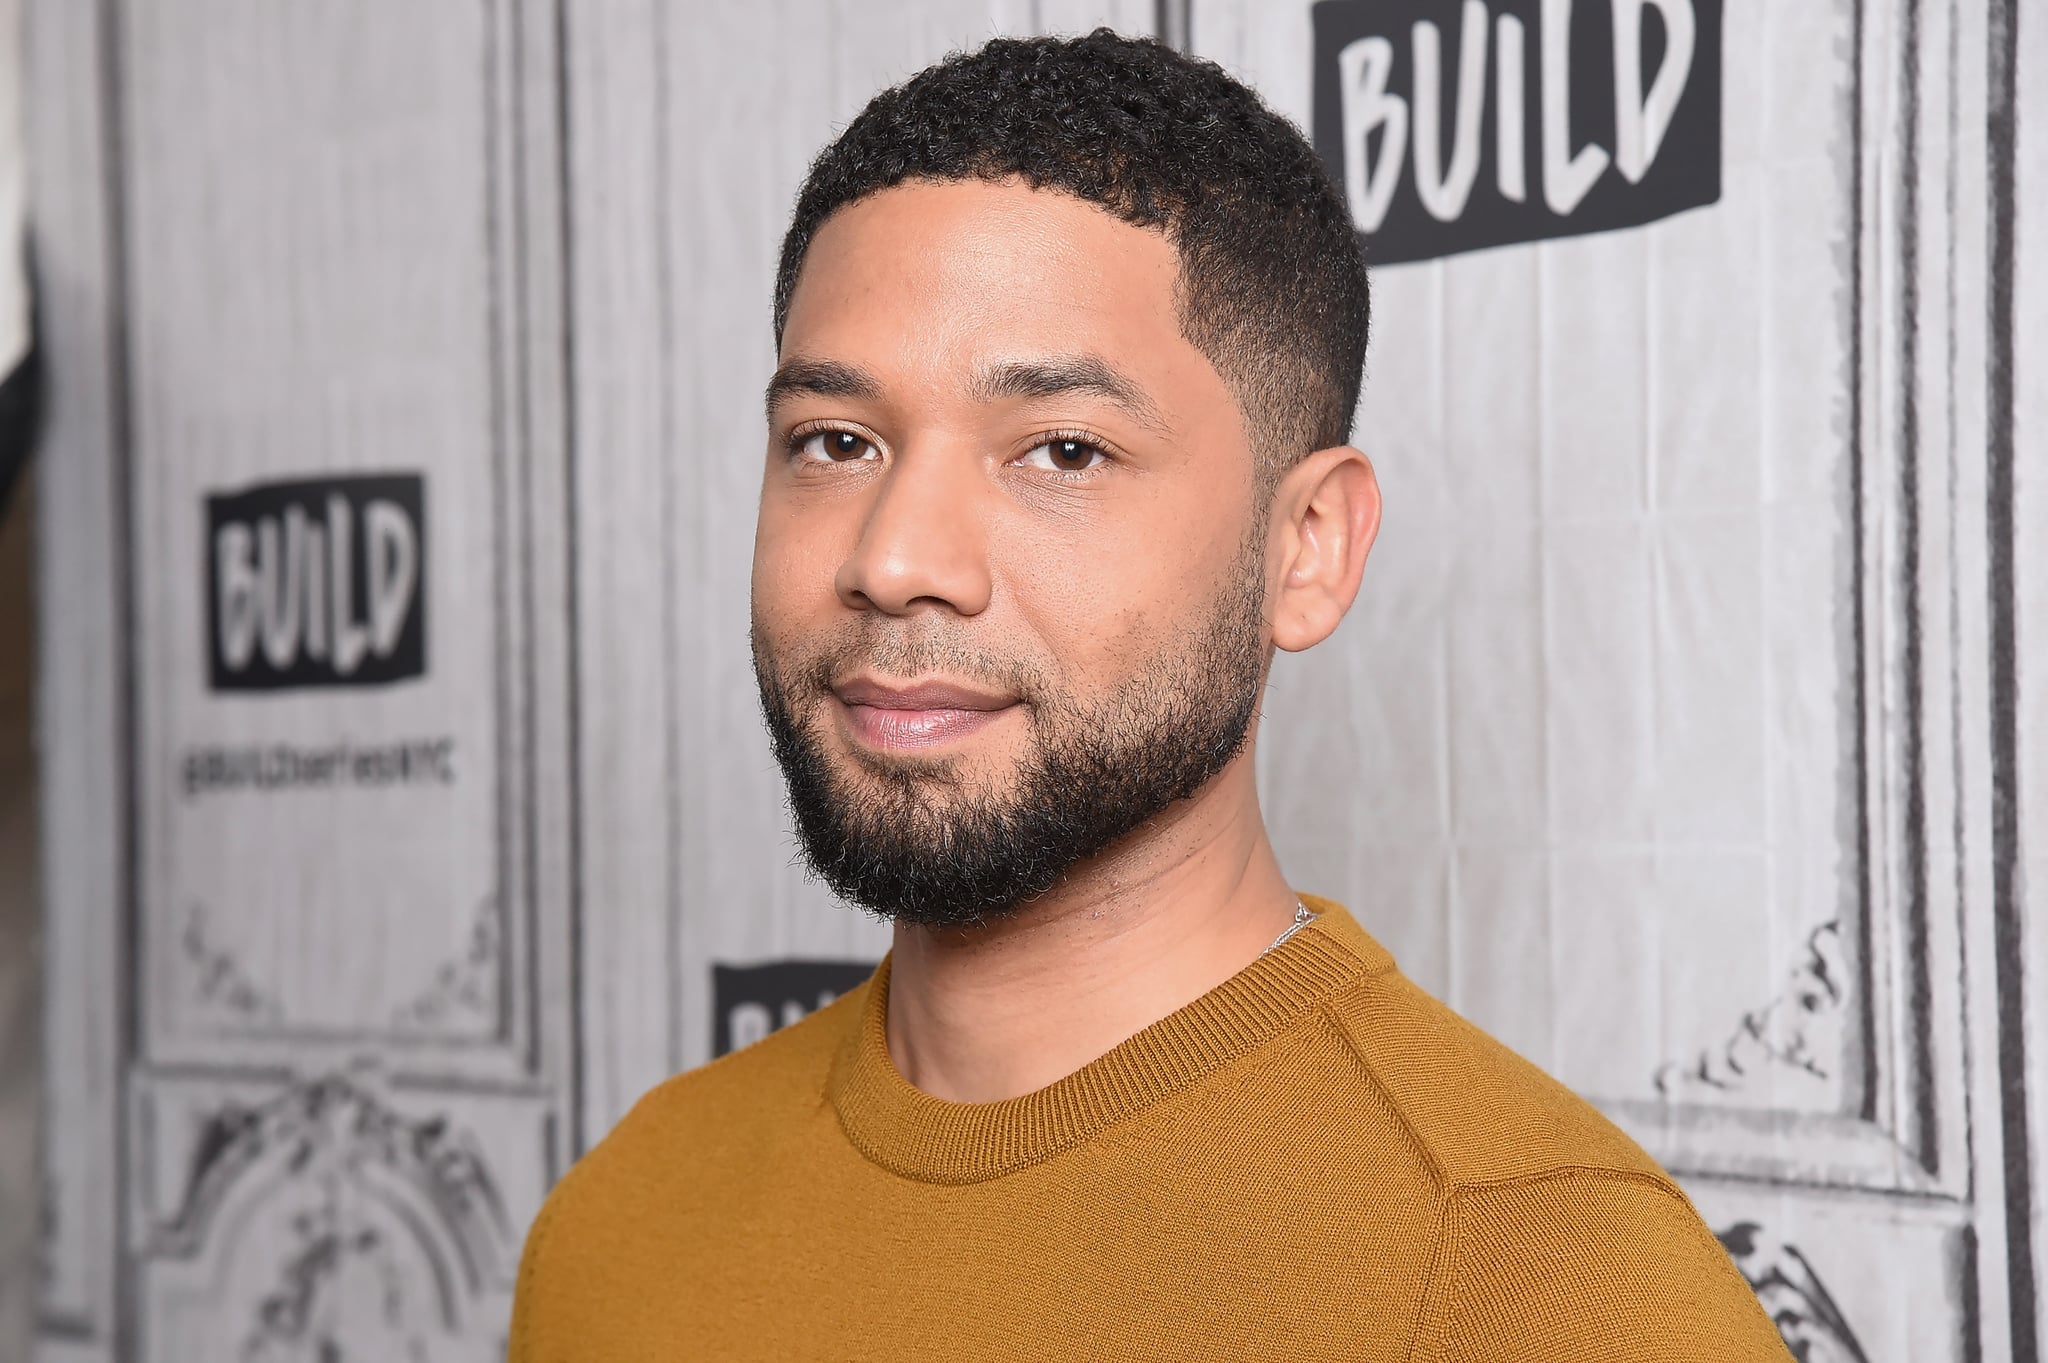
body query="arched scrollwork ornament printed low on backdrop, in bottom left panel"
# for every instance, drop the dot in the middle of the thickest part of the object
(339, 1133)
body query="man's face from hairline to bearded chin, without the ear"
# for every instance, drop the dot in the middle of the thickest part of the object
(1011, 570)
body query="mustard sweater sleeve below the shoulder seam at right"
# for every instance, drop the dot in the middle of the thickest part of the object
(1588, 1266)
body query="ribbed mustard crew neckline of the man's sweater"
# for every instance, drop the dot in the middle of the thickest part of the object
(933, 1141)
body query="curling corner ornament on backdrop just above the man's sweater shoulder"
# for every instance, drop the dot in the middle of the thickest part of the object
(1799, 1030)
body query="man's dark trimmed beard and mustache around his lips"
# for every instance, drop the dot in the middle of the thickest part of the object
(914, 842)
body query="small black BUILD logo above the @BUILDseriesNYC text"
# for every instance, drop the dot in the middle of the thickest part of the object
(318, 582)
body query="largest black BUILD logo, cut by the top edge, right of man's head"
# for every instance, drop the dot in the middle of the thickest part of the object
(1457, 126)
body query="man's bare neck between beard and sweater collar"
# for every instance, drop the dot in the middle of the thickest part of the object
(1007, 1010)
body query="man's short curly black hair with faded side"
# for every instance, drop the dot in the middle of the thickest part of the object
(1273, 281)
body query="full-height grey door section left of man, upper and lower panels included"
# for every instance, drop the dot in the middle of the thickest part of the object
(325, 261)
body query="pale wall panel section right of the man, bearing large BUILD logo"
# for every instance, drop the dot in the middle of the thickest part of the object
(1654, 742)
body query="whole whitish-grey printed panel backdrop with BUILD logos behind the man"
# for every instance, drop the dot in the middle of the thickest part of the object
(407, 805)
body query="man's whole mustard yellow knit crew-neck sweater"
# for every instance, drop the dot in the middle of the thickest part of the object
(1312, 1161)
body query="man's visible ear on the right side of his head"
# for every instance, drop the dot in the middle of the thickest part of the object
(1324, 519)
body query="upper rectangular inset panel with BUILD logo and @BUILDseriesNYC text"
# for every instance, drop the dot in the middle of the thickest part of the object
(335, 466)
